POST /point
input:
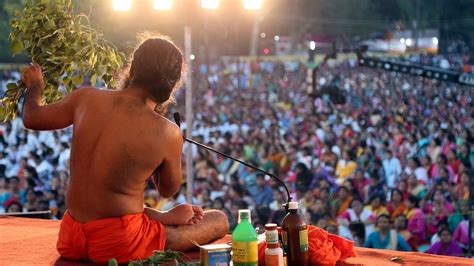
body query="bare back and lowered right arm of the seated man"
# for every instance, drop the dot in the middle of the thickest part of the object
(118, 143)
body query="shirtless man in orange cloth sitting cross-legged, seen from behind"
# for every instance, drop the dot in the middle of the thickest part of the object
(119, 141)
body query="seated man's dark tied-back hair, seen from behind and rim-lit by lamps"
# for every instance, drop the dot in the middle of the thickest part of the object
(156, 65)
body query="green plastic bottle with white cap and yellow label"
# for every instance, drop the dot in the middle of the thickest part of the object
(244, 242)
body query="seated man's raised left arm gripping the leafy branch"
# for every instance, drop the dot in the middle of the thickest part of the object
(45, 117)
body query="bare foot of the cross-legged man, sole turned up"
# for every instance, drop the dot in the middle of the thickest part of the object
(179, 215)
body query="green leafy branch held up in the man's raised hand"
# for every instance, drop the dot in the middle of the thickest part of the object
(65, 45)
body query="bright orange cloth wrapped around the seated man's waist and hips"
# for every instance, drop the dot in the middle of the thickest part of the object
(130, 237)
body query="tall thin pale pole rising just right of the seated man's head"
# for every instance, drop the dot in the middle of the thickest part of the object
(189, 113)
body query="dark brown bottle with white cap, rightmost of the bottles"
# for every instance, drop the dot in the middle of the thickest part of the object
(295, 236)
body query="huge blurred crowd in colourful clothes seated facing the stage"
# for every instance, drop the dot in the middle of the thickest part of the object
(388, 169)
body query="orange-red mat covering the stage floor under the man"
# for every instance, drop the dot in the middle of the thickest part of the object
(33, 242)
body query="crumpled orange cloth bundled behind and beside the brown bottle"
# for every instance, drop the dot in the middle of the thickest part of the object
(324, 248)
